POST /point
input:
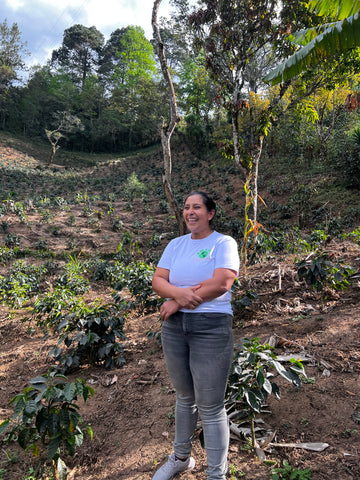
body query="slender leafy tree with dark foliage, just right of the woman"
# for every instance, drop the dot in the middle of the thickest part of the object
(232, 33)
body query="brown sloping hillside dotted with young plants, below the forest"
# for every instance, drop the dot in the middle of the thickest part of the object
(85, 210)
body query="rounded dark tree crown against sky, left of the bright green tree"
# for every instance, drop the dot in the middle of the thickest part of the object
(79, 53)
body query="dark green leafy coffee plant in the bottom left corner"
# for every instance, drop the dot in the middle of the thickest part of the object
(46, 420)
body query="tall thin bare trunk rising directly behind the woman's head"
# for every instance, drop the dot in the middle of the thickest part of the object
(167, 129)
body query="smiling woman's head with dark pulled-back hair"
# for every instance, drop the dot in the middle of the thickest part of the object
(197, 216)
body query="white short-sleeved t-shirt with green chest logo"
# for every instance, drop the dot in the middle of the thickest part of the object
(190, 262)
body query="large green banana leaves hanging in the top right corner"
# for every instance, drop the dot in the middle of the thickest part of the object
(339, 34)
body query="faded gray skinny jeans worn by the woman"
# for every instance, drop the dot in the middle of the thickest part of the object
(198, 349)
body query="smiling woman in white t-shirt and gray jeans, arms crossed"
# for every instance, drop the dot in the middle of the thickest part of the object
(195, 275)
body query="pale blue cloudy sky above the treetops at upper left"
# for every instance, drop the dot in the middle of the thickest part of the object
(42, 22)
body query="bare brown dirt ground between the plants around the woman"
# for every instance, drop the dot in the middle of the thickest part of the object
(131, 412)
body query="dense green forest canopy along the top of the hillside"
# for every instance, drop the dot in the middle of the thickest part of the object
(218, 62)
